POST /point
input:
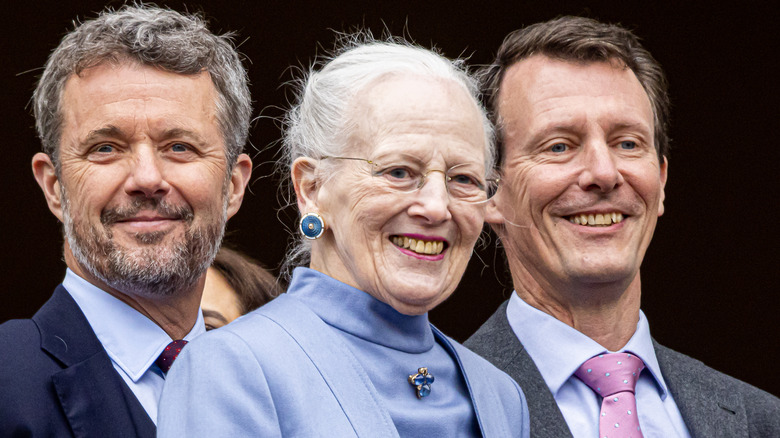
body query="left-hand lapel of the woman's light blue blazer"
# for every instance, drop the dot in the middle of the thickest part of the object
(346, 377)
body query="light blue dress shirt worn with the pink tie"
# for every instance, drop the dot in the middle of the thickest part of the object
(558, 350)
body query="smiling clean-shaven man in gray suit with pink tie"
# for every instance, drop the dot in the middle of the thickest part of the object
(582, 112)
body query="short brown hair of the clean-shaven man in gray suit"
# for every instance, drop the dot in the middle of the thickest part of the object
(579, 39)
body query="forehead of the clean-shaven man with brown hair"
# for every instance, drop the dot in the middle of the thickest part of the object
(541, 93)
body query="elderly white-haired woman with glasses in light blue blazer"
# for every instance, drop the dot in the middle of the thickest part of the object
(391, 159)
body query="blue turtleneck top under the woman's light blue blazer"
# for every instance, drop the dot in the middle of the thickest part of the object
(390, 346)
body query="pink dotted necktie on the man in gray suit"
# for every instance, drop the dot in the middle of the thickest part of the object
(613, 376)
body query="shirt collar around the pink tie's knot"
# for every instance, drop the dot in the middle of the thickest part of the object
(558, 349)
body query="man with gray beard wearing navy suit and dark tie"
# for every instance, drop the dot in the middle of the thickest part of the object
(143, 114)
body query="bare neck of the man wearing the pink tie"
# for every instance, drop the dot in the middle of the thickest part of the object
(606, 313)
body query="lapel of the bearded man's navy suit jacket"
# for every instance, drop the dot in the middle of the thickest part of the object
(95, 399)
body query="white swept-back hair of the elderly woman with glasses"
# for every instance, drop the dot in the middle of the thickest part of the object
(319, 122)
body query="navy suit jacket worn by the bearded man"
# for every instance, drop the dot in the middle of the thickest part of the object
(56, 380)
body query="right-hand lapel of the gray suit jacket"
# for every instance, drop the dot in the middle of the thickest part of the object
(707, 408)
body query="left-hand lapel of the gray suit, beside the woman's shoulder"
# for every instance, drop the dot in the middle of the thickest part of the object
(496, 342)
